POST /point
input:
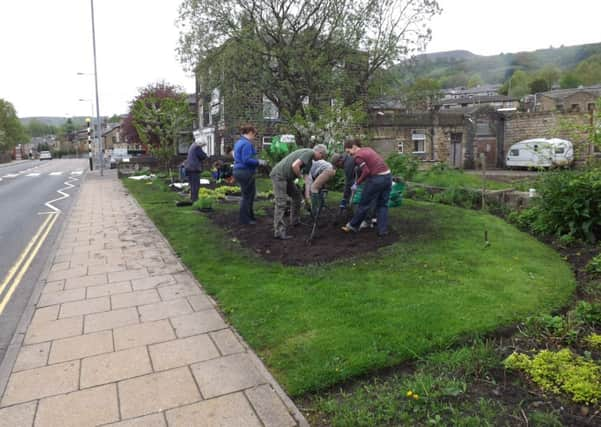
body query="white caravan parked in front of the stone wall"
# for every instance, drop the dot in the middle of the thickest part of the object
(540, 153)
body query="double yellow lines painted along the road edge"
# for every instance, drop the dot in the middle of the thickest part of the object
(18, 270)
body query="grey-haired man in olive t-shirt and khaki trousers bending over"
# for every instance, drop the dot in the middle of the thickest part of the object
(283, 174)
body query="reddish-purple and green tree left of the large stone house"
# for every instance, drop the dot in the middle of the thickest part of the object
(157, 114)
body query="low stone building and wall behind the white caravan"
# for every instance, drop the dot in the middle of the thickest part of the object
(459, 138)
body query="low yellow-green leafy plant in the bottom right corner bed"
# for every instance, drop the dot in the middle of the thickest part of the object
(559, 372)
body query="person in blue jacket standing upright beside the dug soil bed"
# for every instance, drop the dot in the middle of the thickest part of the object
(245, 170)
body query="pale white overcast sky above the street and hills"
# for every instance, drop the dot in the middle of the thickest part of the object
(45, 43)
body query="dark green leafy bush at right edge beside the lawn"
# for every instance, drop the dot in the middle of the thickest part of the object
(570, 203)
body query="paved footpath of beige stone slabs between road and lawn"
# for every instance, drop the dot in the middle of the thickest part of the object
(119, 333)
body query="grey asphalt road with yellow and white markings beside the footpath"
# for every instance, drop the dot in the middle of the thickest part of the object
(29, 227)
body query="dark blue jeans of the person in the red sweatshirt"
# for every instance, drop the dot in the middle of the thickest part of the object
(377, 188)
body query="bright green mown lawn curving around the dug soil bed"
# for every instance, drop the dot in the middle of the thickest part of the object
(316, 326)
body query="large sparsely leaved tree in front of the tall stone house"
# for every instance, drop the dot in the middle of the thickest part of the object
(299, 48)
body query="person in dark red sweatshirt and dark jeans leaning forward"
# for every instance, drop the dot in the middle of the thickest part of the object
(378, 182)
